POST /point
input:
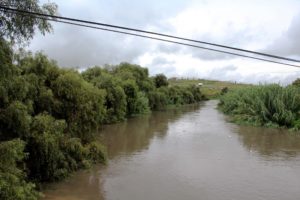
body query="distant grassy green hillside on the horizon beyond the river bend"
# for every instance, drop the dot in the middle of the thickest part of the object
(210, 88)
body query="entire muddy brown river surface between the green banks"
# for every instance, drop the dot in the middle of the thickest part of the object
(190, 153)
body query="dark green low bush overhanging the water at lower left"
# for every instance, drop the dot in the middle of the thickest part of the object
(50, 149)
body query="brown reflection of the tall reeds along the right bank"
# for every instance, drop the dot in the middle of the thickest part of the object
(270, 142)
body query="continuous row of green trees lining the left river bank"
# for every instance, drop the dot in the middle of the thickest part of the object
(49, 115)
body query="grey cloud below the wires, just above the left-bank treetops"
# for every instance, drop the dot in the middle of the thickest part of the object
(77, 47)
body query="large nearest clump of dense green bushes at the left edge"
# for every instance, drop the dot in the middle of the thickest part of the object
(43, 109)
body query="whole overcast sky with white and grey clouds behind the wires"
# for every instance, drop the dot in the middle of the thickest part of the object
(265, 26)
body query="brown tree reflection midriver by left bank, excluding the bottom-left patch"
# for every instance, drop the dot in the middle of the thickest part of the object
(136, 134)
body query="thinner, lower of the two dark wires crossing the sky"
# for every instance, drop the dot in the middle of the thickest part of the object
(41, 16)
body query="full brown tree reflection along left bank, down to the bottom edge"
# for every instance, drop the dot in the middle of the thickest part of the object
(122, 140)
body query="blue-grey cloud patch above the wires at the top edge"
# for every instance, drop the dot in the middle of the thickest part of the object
(139, 14)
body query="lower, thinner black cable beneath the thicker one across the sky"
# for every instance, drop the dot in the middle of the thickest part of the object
(154, 38)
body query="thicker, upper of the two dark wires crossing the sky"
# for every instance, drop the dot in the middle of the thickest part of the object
(148, 32)
